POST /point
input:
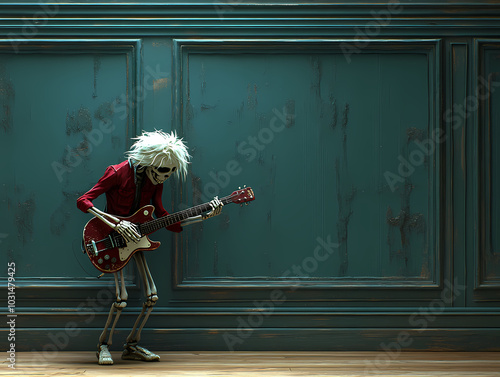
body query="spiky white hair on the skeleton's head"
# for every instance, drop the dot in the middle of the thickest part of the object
(158, 148)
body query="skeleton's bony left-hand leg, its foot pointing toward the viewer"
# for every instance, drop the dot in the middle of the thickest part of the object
(103, 353)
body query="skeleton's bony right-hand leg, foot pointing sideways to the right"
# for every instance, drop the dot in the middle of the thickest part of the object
(132, 350)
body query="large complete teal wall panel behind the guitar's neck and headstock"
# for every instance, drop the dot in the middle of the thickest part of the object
(306, 121)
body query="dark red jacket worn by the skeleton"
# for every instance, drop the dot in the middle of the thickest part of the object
(118, 183)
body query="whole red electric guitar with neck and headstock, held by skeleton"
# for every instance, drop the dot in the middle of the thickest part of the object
(110, 252)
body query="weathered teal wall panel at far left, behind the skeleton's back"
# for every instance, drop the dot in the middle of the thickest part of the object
(67, 106)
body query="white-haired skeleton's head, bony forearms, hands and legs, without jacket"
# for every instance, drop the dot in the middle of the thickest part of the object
(157, 166)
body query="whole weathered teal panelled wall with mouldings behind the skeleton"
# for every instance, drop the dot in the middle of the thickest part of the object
(366, 130)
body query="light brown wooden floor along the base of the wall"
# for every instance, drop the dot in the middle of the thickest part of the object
(276, 363)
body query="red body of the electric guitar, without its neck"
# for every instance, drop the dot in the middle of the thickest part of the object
(107, 250)
